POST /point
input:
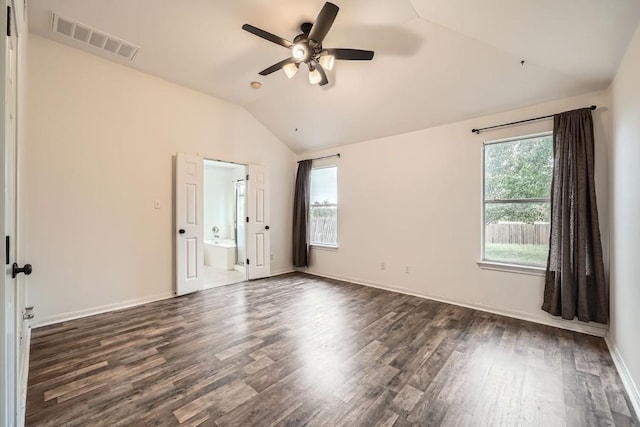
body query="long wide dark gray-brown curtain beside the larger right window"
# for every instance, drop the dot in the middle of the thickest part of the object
(575, 283)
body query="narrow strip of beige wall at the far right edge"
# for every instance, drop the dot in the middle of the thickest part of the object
(624, 335)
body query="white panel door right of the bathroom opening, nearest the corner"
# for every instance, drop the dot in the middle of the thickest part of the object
(258, 235)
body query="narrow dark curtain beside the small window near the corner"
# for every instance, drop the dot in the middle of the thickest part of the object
(301, 215)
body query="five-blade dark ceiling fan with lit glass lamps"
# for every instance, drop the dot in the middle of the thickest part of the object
(307, 49)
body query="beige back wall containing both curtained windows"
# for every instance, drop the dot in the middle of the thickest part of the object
(415, 200)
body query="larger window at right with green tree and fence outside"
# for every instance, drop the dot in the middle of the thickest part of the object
(516, 206)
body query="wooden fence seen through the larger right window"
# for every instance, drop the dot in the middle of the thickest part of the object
(518, 233)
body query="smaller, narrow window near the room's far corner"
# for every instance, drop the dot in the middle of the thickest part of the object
(323, 207)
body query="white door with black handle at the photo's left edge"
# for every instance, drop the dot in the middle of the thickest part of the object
(10, 336)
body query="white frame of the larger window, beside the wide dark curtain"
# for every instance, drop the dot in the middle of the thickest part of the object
(489, 264)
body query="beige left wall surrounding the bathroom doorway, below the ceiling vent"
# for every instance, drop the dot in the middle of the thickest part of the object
(99, 149)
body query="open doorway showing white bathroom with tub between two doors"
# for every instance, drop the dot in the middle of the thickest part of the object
(224, 208)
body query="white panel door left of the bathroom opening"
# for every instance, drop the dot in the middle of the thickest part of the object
(189, 230)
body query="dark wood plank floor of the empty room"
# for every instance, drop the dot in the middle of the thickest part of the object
(298, 350)
